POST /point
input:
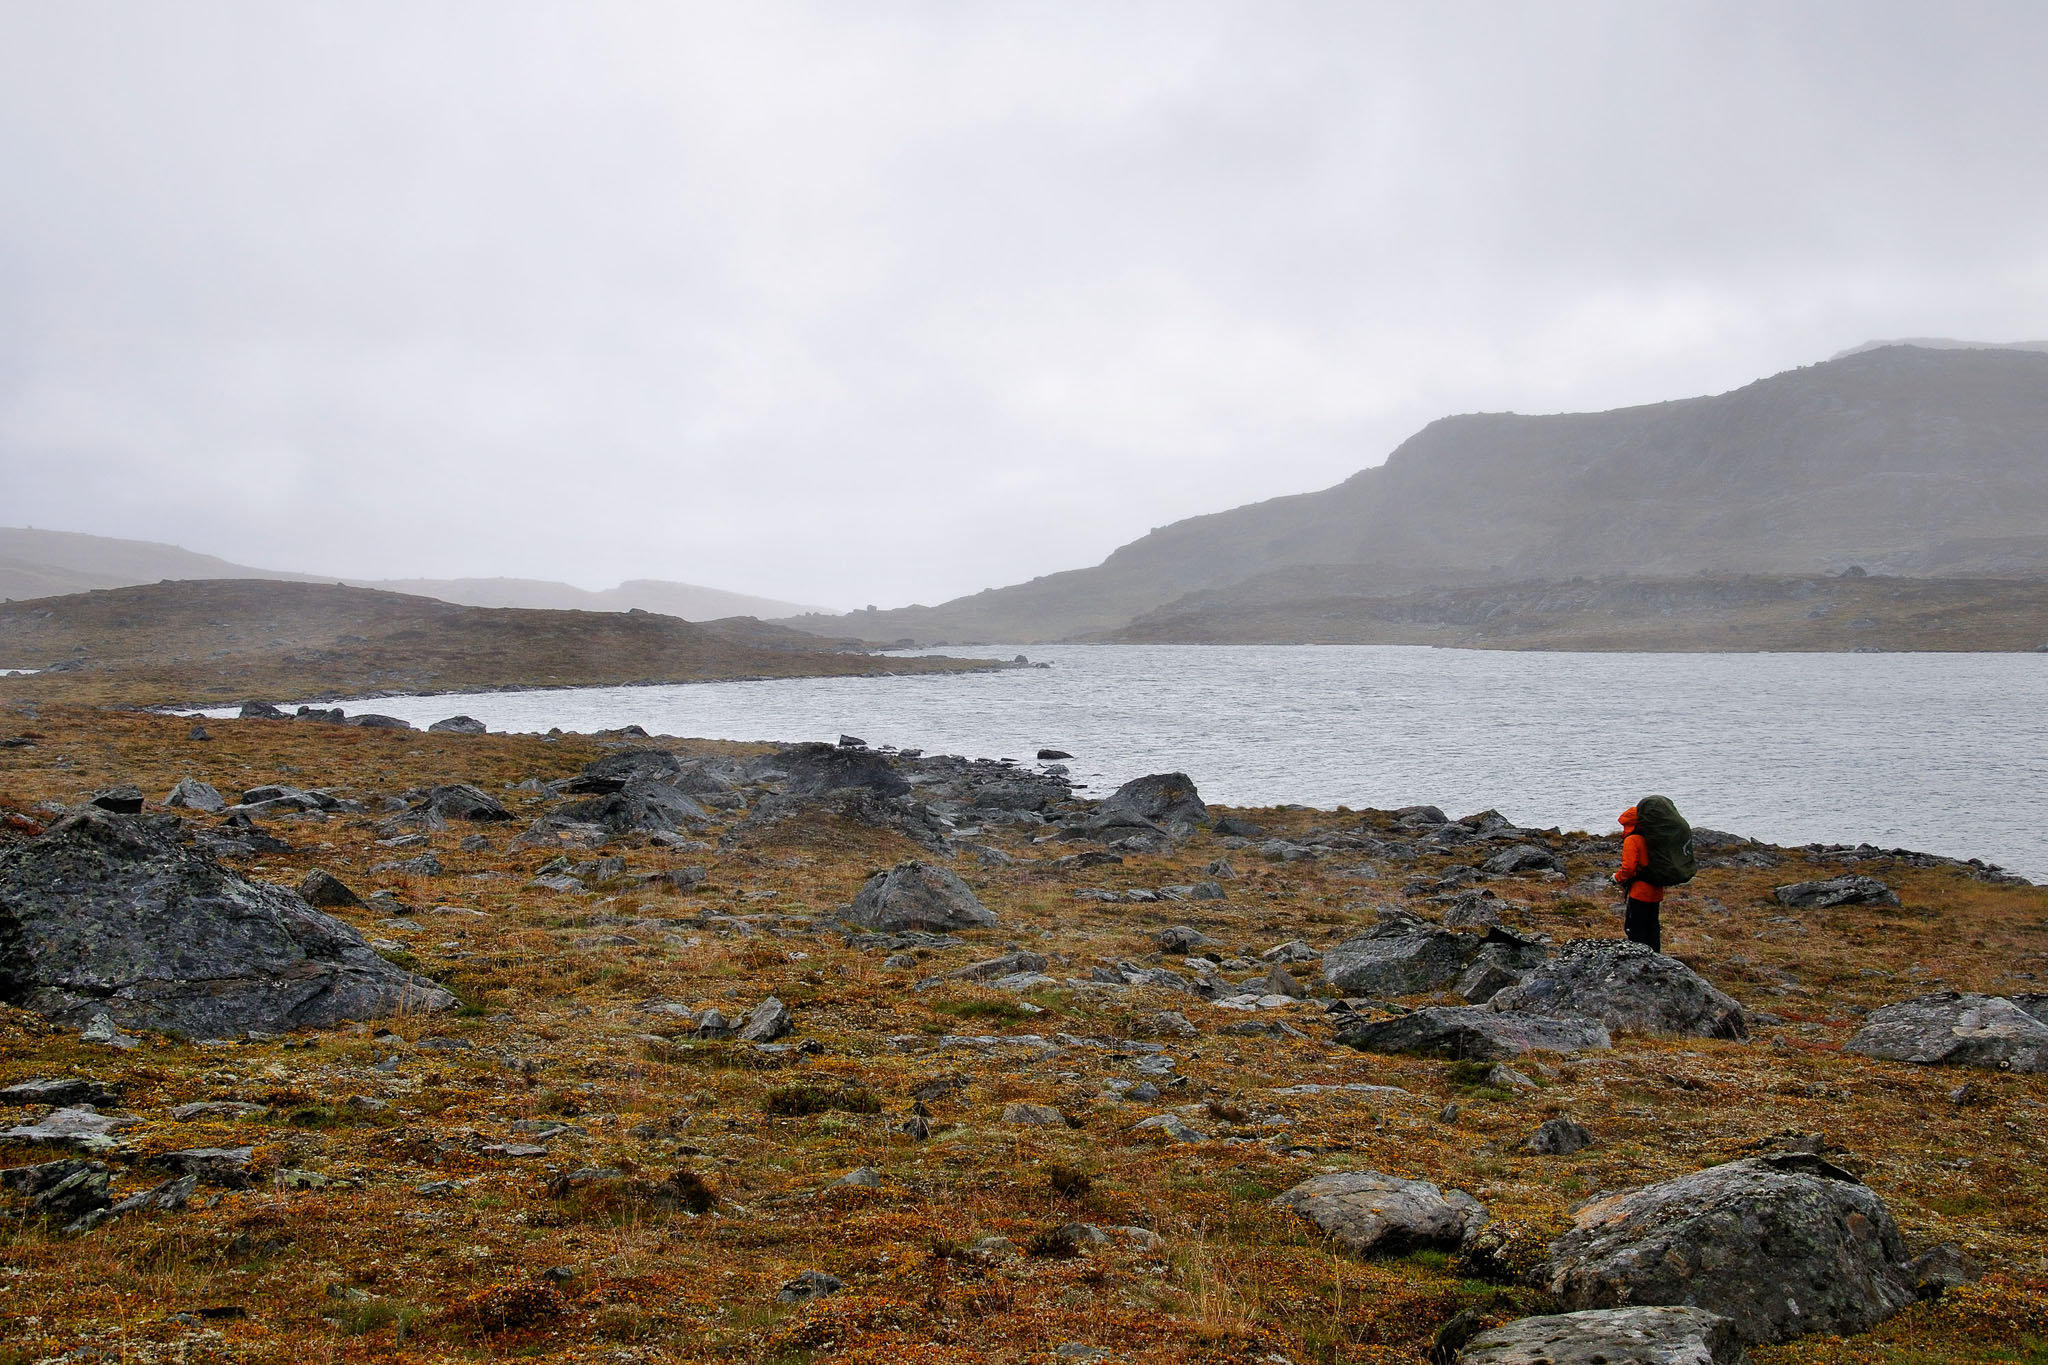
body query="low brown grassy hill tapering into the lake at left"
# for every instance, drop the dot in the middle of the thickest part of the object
(226, 640)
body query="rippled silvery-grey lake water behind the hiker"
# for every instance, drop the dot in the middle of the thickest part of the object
(1932, 752)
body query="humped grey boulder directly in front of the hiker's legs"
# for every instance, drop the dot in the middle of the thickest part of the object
(1627, 987)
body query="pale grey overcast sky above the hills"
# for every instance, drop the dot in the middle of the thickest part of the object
(896, 302)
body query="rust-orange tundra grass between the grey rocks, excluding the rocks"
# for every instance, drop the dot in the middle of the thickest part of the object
(556, 981)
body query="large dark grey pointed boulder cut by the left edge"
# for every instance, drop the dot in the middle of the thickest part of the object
(118, 916)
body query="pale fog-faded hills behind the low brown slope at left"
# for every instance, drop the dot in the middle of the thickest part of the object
(44, 564)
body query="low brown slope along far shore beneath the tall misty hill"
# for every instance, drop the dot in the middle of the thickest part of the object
(1650, 615)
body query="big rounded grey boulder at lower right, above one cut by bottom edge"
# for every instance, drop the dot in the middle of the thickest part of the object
(1781, 1245)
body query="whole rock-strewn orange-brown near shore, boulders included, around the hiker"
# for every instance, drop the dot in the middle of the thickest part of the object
(439, 1043)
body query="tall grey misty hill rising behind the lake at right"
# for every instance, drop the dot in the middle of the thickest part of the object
(1902, 459)
